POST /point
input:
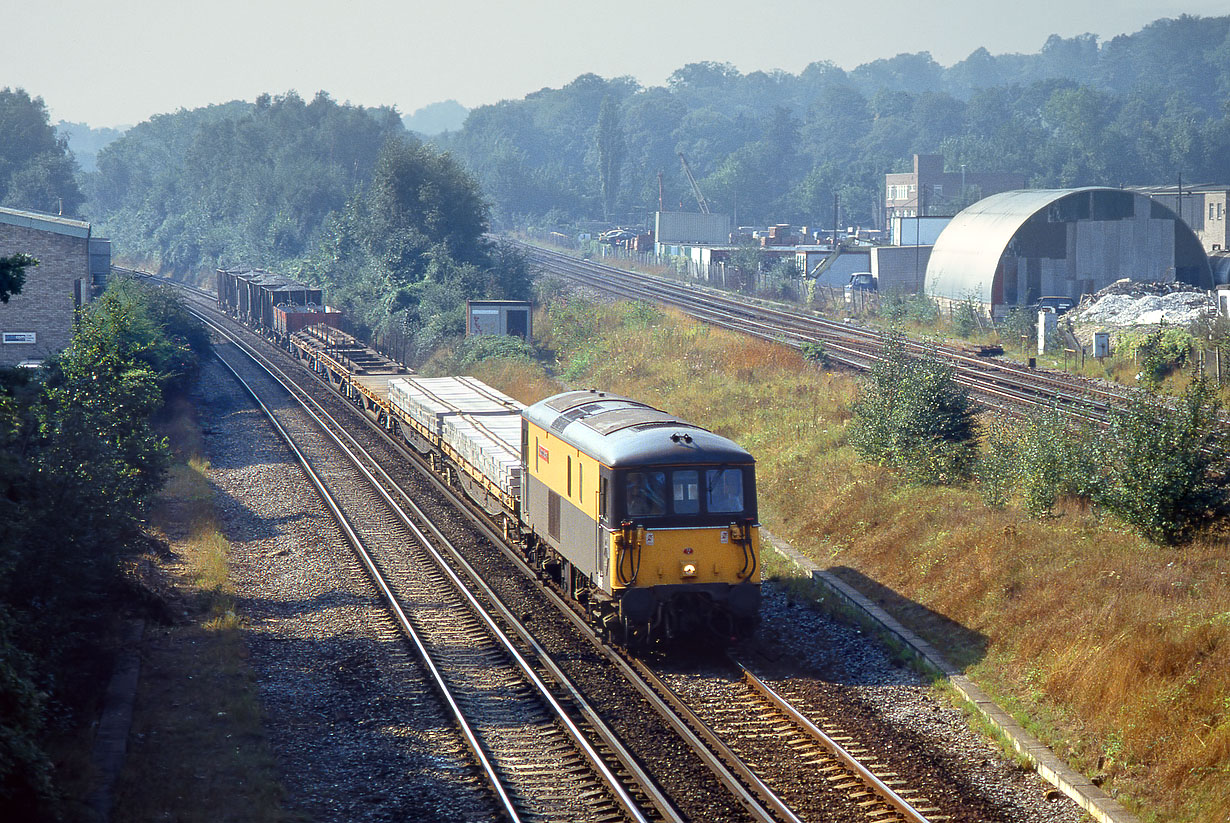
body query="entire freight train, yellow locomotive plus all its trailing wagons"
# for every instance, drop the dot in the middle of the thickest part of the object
(645, 521)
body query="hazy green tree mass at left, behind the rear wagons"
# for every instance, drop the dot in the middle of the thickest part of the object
(338, 195)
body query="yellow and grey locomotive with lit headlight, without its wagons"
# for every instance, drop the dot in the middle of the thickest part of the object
(649, 521)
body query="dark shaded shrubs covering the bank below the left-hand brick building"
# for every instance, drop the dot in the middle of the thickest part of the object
(79, 463)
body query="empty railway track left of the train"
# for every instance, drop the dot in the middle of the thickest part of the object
(544, 753)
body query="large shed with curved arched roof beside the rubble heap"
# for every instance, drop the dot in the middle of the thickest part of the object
(1015, 248)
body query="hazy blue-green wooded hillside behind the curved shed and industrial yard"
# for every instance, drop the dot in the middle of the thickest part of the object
(1142, 109)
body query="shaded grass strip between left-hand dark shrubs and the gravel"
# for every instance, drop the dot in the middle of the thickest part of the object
(197, 751)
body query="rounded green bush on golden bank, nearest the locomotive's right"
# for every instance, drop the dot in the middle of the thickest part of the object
(912, 414)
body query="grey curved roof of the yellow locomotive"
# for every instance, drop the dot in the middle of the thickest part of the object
(623, 432)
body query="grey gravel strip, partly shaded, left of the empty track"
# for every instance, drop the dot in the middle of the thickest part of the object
(357, 731)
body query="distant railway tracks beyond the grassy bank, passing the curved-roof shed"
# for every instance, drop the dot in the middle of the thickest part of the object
(996, 383)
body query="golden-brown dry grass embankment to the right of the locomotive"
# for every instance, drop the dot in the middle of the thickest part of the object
(1114, 650)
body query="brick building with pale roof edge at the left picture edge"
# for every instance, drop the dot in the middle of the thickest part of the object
(72, 268)
